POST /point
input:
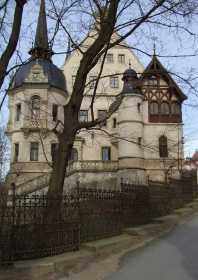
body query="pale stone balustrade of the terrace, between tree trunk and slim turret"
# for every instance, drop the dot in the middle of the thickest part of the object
(92, 166)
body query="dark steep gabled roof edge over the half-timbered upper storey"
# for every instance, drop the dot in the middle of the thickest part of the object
(155, 67)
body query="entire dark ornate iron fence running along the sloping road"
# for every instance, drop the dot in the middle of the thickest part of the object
(26, 231)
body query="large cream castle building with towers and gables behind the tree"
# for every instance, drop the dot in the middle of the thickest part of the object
(141, 141)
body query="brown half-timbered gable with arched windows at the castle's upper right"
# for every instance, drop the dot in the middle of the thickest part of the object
(162, 93)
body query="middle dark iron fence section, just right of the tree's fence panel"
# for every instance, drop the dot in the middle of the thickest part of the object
(100, 213)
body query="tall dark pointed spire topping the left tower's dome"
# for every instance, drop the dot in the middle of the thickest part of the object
(41, 47)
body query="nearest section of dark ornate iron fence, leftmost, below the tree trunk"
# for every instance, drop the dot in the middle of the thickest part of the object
(26, 232)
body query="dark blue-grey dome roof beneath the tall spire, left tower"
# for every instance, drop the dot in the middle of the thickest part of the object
(52, 74)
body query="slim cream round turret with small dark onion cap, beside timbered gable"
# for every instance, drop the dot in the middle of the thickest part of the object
(130, 129)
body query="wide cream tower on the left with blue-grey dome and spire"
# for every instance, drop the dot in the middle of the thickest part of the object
(36, 99)
